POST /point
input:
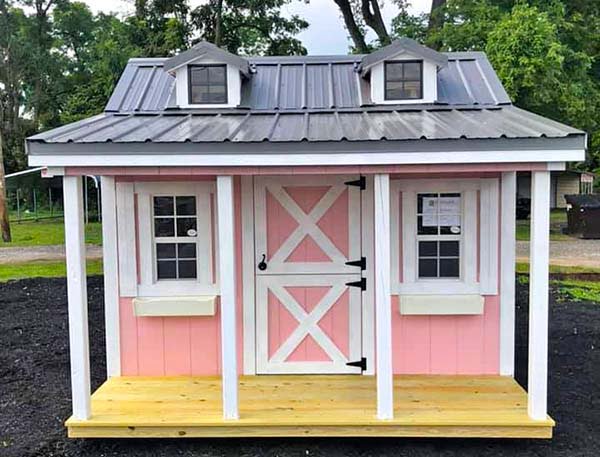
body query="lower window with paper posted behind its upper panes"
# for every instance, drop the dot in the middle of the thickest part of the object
(438, 235)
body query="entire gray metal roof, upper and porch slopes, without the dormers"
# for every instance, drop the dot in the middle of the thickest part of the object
(316, 99)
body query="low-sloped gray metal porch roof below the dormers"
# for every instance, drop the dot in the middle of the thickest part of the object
(347, 125)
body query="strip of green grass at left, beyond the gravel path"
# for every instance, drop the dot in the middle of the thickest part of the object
(48, 232)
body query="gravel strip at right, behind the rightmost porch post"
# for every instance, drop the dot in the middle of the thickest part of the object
(575, 253)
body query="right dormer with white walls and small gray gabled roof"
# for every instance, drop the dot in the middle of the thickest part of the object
(404, 72)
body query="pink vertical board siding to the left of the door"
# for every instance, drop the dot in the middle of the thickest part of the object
(169, 346)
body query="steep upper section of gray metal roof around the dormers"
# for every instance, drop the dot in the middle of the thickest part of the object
(307, 82)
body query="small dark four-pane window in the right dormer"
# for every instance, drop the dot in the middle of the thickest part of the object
(404, 80)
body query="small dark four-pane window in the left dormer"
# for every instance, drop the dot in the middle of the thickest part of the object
(207, 84)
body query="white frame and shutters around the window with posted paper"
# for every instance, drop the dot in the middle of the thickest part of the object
(404, 195)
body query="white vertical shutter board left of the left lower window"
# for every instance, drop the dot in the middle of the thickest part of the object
(126, 240)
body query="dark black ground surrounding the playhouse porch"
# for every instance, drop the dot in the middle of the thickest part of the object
(34, 389)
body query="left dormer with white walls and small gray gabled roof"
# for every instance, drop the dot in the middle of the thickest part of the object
(207, 76)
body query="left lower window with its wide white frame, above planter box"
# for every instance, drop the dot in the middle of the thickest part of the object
(176, 229)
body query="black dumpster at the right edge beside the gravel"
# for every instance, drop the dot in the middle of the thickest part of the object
(583, 215)
